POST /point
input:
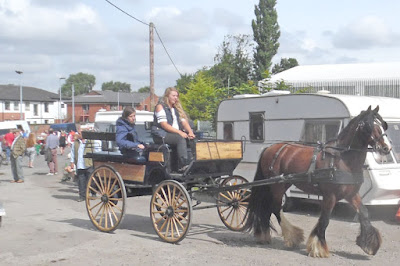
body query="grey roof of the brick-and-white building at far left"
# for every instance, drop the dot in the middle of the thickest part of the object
(12, 93)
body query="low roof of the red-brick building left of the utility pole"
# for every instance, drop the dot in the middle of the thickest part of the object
(111, 97)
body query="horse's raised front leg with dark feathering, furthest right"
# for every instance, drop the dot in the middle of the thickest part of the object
(369, 239)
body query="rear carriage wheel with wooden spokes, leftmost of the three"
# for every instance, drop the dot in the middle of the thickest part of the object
(105, 198)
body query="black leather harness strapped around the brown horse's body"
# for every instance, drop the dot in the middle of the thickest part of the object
(330, 175)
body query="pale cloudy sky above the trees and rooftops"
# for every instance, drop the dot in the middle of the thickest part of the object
(49, 39)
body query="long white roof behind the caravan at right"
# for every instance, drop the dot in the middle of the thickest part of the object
(367, 71)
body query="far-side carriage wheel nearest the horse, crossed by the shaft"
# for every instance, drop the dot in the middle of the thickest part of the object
(232, 205)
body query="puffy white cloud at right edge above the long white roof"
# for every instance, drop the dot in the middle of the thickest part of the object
(366, 33)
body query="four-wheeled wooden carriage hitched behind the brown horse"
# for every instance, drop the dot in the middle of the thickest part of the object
(116, 177)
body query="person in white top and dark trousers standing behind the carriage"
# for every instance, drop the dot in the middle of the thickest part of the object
(82, 165)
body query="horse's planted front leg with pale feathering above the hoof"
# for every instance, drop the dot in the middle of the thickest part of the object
(316, 243)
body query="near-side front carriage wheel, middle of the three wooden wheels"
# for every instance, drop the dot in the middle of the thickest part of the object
(171, 211)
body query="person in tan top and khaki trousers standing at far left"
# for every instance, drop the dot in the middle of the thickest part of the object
(18, 148)
